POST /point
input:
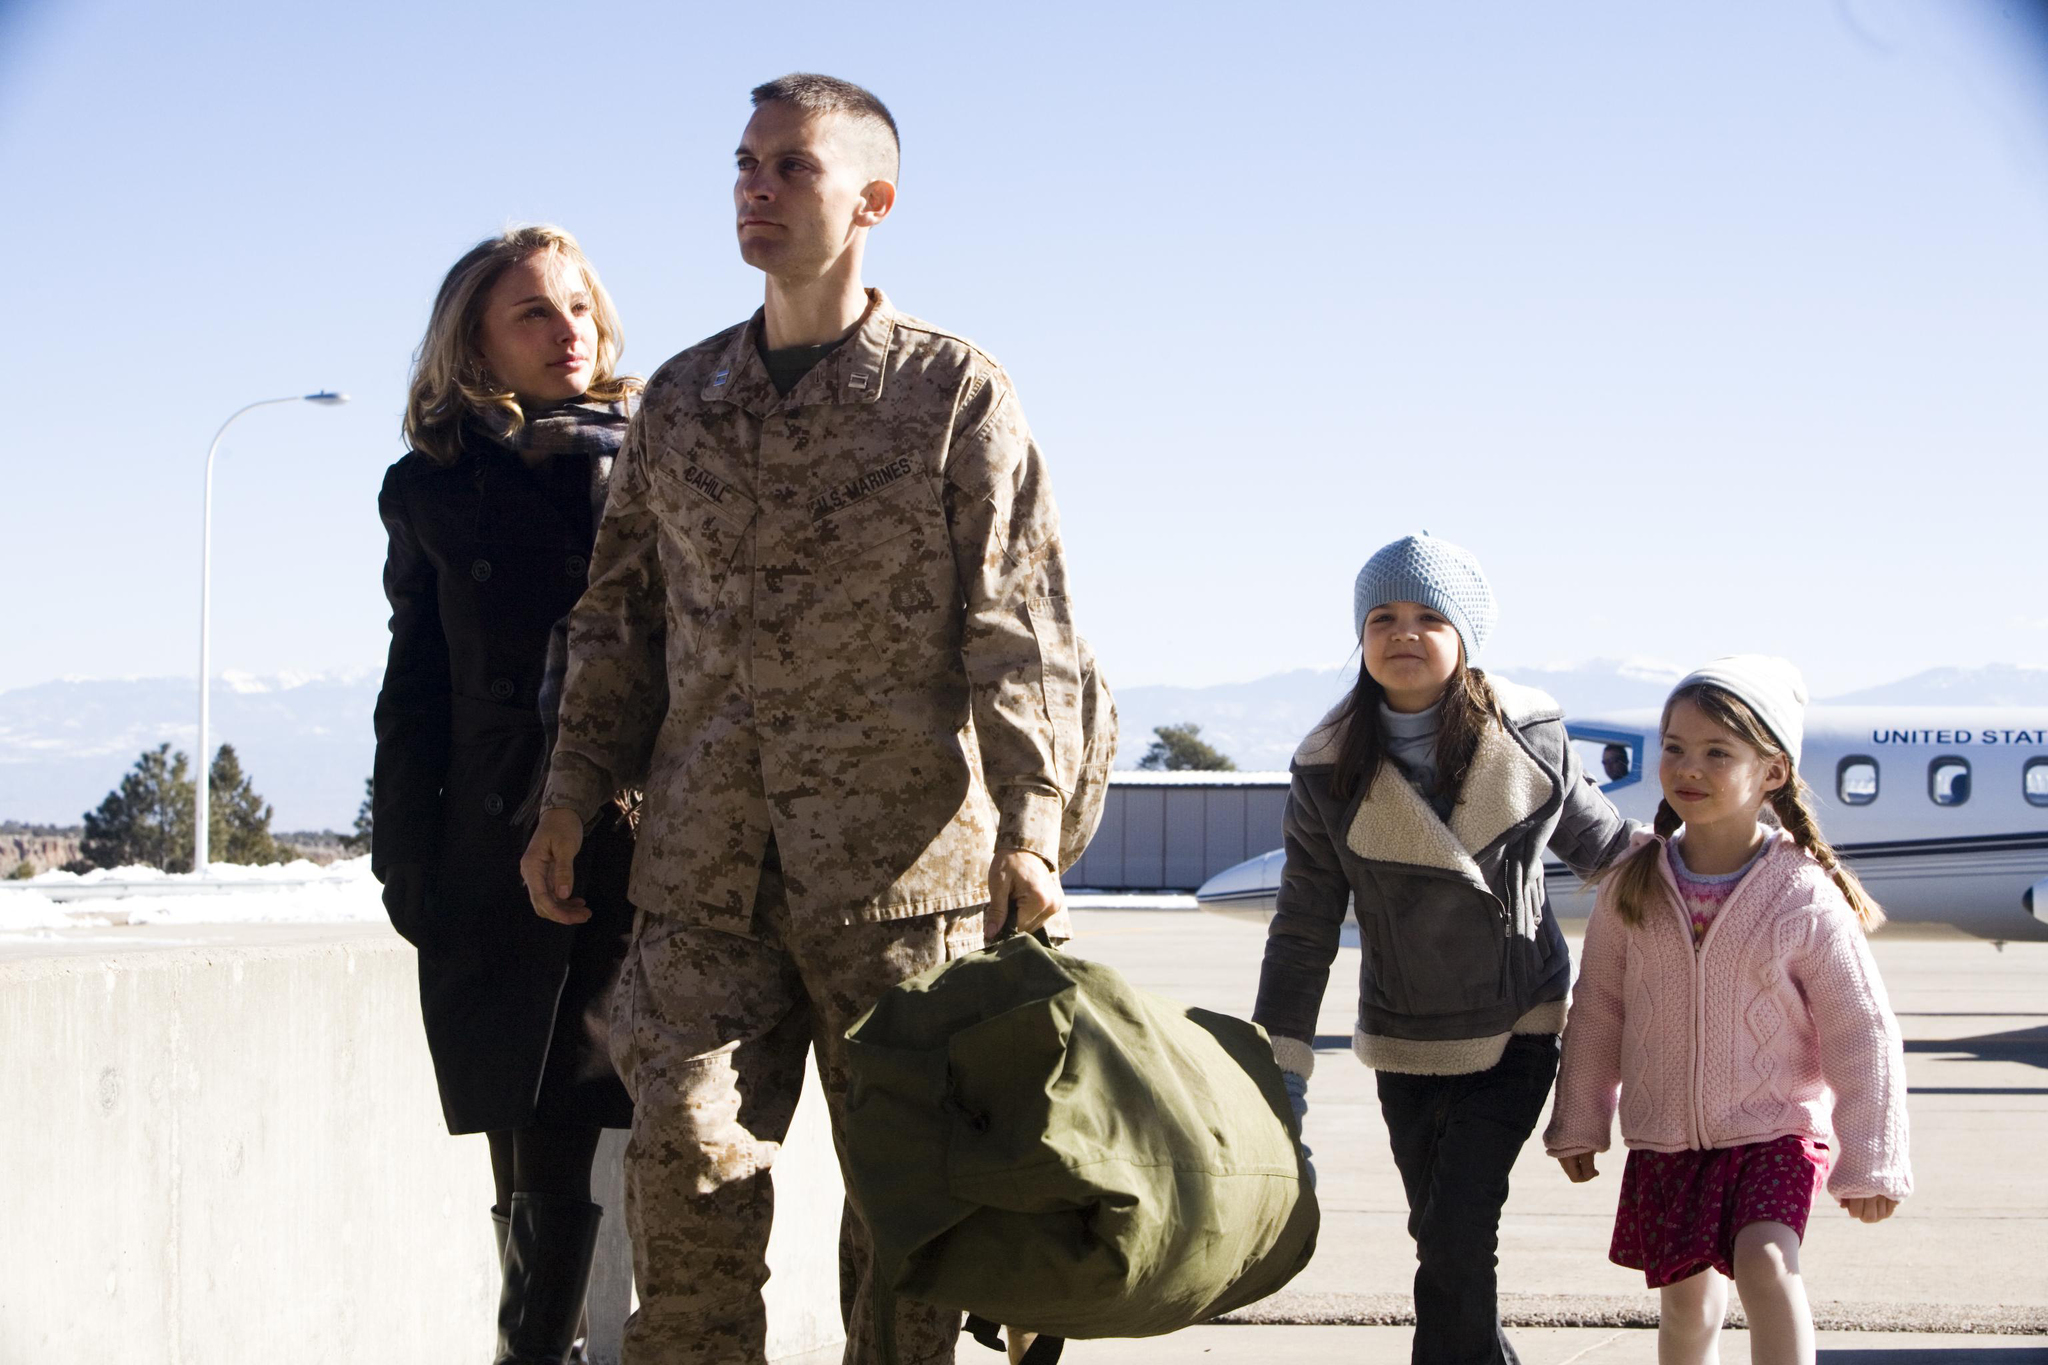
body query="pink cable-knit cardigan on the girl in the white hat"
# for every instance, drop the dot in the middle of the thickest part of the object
(1742, 1041)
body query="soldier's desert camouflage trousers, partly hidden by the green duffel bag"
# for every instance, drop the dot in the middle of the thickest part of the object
(712, 1032)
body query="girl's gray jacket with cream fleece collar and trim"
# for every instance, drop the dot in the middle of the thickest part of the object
(1459, 949)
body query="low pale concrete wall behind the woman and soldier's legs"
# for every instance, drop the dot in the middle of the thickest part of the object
(232, 1153)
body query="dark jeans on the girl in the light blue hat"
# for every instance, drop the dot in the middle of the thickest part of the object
(1455, 1143)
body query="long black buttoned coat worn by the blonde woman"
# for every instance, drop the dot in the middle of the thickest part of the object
(486, 558)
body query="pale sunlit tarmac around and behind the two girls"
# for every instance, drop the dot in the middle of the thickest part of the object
(1959, 1274)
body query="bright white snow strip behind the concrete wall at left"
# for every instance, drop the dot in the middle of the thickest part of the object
(228, 895)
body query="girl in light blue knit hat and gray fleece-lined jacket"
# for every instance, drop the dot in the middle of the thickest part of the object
(1428, 799)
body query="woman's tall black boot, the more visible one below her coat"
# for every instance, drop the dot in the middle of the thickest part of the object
(550, 1247)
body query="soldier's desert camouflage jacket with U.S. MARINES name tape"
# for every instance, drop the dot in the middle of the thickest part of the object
(837, 619)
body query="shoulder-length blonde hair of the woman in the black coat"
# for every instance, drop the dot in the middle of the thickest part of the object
(450, 380)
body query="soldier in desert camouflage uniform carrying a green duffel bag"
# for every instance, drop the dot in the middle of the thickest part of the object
(828, 633)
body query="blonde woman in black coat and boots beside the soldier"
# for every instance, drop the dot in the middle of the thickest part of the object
(515, 419)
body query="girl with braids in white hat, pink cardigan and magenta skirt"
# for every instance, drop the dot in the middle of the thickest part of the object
(1730, 1004)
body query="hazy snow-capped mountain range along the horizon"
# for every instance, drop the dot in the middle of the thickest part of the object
(306, 740)
